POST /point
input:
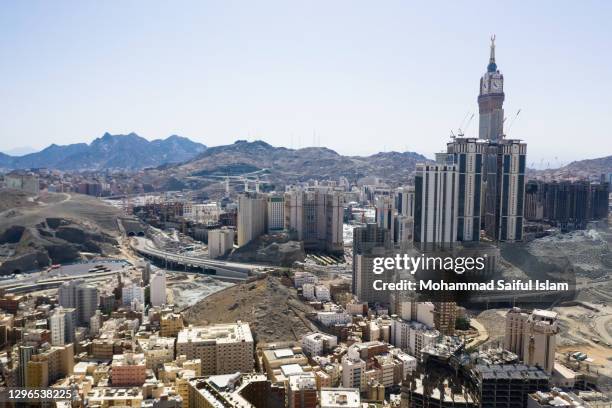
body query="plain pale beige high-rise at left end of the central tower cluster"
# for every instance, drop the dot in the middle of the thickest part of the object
(251, 217)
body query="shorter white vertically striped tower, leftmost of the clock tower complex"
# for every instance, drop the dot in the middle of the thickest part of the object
(435, 212)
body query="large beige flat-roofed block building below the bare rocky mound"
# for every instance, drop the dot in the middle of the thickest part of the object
(222, 348)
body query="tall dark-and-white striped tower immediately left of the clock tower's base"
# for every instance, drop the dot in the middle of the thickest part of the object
(467, 155)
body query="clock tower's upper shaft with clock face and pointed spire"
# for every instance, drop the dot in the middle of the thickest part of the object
(491, 100)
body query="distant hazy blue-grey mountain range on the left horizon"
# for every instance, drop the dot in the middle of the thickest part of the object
(108, 152)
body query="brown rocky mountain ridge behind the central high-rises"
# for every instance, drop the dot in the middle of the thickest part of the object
(280, 165)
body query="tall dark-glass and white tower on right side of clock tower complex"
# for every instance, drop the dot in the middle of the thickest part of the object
(505, 189)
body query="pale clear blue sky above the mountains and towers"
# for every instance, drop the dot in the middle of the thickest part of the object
(364, 76)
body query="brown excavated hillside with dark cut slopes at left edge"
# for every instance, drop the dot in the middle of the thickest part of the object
(38, 231)
